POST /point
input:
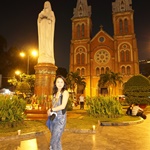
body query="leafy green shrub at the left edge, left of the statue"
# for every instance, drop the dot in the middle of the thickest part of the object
(11, 110)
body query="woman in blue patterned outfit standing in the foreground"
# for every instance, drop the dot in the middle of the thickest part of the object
(59, 102)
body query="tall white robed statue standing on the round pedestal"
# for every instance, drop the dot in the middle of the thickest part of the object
(46, 27)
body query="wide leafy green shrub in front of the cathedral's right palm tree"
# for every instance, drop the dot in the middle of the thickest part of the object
(104, 107)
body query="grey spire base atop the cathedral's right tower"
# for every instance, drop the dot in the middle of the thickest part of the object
(122, 6)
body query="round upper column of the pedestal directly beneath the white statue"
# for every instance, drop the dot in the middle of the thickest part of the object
(45, 74)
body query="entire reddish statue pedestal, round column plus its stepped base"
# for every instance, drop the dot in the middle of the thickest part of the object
(45, 74)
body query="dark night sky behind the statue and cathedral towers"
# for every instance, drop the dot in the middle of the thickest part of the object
(18, 24)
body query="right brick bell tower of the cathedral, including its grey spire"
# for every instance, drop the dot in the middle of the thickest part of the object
(125, 41)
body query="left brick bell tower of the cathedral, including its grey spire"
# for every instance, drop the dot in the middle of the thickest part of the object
(80, 42)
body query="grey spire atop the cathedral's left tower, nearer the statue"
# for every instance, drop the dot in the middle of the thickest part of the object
(82, 9)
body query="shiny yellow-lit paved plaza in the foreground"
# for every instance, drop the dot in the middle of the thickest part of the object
(133, 137)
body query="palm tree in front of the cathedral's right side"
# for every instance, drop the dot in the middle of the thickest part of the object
(109, 80)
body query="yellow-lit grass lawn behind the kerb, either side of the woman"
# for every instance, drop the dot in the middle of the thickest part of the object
(77, 119)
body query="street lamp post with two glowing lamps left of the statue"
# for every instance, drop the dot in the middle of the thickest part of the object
(33, 53)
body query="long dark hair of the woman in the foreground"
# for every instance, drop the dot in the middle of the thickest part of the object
(55, 89)
